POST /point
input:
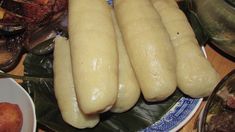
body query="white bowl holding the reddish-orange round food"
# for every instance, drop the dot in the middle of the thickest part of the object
(12, 92)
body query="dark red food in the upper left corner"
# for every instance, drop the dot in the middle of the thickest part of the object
(30, 12)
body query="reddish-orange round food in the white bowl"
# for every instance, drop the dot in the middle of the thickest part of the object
(11, 118)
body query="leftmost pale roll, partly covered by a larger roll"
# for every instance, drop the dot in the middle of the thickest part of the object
(64, 88)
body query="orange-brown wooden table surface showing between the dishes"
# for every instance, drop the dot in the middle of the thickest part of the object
(220, 63)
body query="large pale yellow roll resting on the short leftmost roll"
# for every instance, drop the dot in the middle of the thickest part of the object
(94, 54)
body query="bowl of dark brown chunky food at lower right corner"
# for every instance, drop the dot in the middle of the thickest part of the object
(219, 111)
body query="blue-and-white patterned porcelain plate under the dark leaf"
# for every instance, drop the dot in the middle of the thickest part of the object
(178, 115)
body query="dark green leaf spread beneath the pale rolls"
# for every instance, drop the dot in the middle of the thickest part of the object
(48, 115)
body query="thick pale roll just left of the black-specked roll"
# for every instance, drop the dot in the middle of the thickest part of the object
(148, 46)
